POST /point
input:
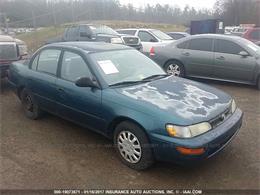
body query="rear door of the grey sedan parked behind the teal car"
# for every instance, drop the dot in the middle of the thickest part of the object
(199, 57)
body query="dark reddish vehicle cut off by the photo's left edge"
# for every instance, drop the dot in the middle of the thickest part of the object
(10, 50)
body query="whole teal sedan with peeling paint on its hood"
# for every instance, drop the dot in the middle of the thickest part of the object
(122, 94)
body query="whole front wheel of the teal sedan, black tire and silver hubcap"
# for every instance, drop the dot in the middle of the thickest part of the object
(140, 148)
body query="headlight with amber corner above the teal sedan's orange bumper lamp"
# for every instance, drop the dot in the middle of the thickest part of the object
(188, 131)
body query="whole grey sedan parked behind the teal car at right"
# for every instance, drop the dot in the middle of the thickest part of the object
(218, 57)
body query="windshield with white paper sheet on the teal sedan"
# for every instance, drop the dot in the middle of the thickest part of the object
(125, 66)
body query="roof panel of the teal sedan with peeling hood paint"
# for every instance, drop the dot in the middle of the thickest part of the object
(90, 46)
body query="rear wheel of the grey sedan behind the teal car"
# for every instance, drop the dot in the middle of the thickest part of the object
(175, 68)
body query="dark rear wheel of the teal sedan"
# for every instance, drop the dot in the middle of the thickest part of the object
(30, 105)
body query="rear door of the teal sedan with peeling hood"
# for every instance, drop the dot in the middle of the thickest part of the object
(43, 81)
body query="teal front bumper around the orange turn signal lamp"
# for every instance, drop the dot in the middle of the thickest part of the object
(214, 141)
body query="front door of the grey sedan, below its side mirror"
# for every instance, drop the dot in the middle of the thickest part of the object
(229, 65)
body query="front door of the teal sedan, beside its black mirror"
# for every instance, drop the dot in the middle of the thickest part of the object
(79, 104)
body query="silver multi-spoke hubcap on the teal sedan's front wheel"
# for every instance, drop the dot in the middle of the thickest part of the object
(129, 146)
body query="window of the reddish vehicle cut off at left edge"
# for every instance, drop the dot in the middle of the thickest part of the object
(8, 51)
